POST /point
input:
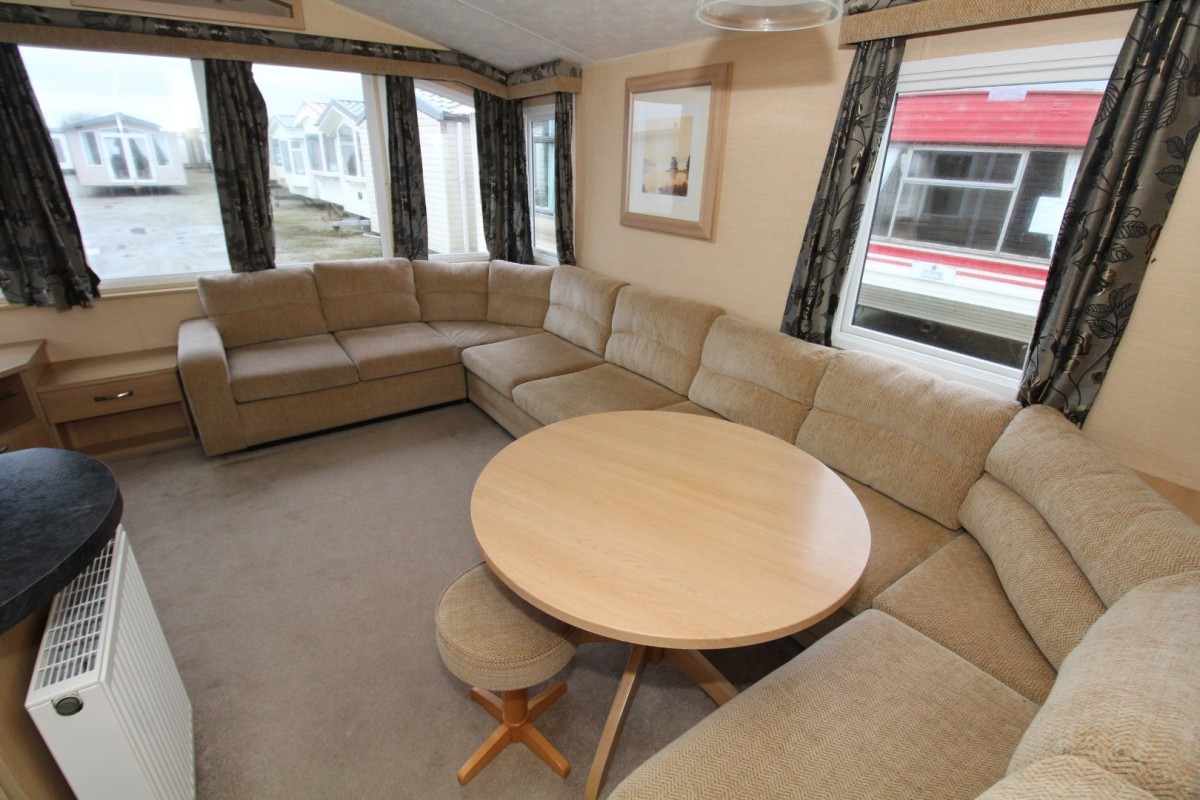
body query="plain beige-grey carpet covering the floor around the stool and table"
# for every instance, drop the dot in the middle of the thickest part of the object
(297, 586)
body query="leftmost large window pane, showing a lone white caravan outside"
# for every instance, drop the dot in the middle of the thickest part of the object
(143, 208)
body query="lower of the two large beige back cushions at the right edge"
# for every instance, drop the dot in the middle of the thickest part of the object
(1129, 697)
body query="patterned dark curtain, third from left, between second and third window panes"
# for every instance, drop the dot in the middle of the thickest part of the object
(410, 225)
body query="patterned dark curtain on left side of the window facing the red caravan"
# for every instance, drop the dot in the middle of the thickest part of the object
(838, 208)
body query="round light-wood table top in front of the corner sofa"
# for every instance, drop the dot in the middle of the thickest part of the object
(670, 530)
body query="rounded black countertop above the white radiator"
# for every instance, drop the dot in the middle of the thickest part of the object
(58, 510)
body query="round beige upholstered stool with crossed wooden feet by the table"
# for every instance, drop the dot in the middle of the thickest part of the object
(493, 640)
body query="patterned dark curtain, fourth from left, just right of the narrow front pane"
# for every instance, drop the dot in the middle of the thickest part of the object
(503, 183)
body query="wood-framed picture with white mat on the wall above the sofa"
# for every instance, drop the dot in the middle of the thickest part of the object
(675, 136)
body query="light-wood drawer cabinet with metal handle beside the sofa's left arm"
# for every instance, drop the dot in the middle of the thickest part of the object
(117, 405)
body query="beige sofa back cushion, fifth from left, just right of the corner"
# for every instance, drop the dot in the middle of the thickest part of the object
(581, 306)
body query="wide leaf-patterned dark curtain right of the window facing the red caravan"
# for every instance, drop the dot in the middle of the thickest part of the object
(1139, 146)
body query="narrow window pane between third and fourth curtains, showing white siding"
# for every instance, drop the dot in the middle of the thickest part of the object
(446, 121)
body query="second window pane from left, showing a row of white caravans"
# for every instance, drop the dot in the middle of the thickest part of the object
(329, 204)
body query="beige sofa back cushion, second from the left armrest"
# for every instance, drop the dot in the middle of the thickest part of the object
(369, 292)
